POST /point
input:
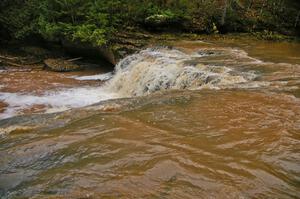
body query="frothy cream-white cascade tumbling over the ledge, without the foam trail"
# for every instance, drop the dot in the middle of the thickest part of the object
(154, 70)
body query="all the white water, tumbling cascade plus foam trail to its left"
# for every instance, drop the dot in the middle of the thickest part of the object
(148, 71)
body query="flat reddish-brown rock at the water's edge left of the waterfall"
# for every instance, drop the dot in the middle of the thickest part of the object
(60, 65)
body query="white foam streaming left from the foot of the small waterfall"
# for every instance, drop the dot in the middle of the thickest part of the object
(54, 101)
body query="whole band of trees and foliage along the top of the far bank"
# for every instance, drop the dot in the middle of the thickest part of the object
(96, 21)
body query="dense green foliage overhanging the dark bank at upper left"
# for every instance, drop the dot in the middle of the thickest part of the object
(86, 21)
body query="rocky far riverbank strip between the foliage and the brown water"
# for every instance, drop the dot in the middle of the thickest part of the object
(32, 55)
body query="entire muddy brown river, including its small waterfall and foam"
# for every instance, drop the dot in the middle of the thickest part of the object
(217, 119)
